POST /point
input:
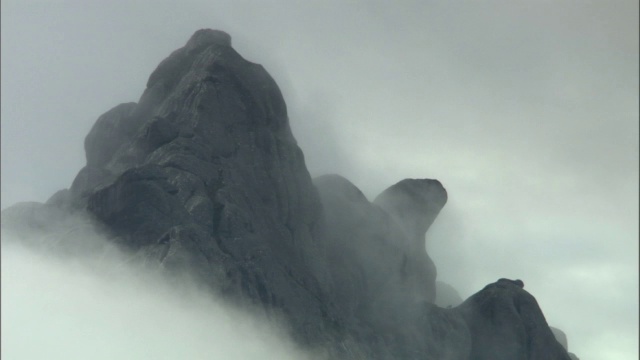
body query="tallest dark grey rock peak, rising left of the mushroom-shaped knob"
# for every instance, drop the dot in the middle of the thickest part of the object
(204, 169)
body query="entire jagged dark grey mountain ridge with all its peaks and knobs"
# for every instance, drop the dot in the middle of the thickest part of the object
(203, 175)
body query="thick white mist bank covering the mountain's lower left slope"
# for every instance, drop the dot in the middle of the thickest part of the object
(104, 307)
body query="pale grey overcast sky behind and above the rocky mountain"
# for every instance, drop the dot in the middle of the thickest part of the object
(526, 111)
